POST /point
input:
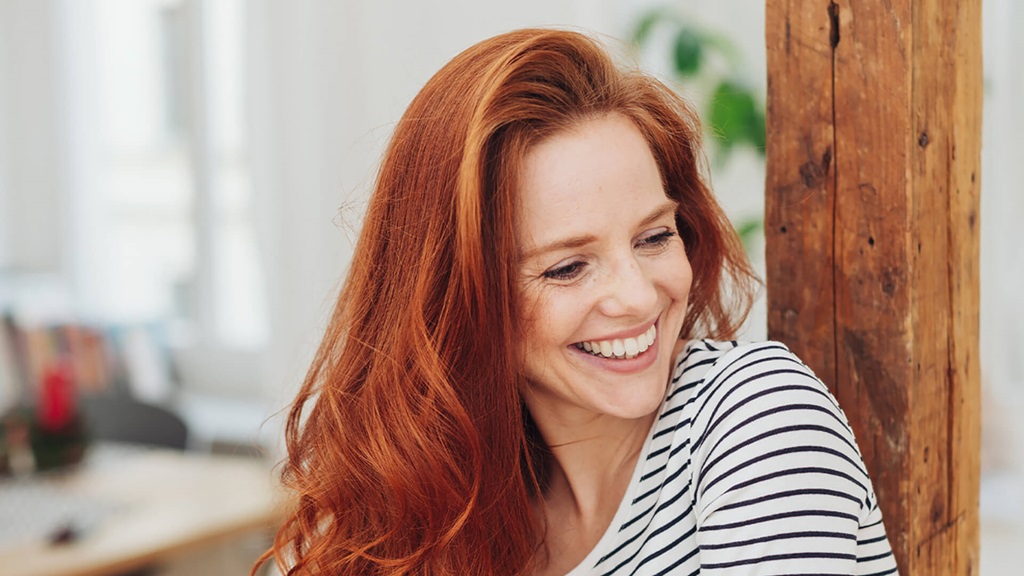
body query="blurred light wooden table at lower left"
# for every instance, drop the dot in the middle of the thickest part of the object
(165, 504)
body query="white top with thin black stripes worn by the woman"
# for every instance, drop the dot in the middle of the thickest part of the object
(750, 469)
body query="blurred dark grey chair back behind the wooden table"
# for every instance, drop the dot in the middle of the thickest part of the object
(119, 419)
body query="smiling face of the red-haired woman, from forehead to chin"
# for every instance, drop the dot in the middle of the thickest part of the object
(604, 274)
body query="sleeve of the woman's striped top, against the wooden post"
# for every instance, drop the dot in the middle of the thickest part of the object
(780, 484)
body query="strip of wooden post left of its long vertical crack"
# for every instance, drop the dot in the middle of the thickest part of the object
(800, 182)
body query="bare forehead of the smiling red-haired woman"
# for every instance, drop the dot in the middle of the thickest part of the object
(590, 179)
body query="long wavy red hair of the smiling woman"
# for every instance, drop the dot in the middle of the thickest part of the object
(410, 449)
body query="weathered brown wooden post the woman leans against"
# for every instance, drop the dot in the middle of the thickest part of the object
(873, 245)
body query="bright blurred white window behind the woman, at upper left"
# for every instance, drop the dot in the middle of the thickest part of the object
(178, 200)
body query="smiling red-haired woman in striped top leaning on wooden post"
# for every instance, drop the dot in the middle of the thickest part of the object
(514, 381)
